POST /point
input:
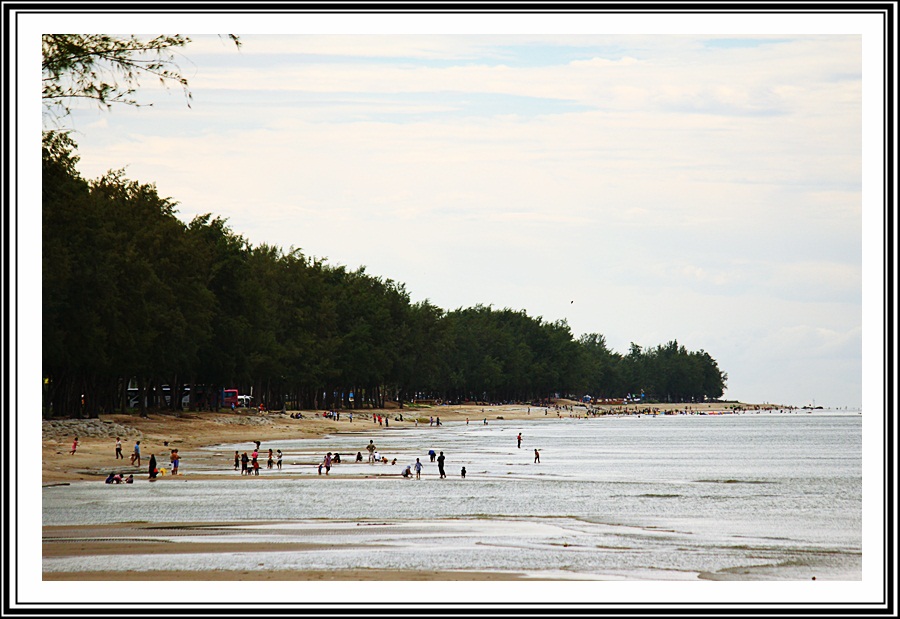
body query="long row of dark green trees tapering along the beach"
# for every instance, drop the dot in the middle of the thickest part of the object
(134, 296)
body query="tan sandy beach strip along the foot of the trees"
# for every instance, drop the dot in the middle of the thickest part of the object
(193, 433)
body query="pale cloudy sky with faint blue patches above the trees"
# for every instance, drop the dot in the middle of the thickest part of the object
(706, 188)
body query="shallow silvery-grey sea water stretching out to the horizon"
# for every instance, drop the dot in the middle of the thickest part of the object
(762, 496)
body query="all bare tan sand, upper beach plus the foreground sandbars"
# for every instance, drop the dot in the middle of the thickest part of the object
(190, 431)
